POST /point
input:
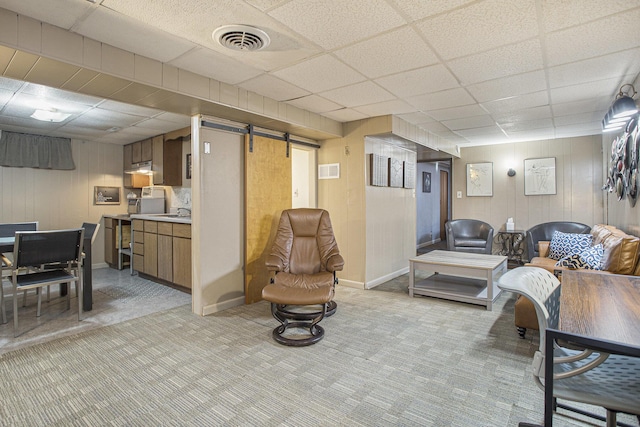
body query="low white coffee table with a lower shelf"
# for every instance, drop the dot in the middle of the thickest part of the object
(458, 276)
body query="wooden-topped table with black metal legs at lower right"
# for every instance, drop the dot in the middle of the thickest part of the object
(598, 311)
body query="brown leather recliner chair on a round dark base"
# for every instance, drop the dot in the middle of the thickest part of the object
(304, 258)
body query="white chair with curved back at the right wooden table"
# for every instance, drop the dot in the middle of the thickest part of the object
(585, 375)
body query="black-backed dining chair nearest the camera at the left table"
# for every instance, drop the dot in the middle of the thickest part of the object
(34, 249)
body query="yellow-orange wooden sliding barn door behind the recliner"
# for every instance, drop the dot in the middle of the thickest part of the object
(267, 194)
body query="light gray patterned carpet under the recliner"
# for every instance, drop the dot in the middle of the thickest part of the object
(386, 360)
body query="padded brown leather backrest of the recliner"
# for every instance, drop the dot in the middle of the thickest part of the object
(304, 240)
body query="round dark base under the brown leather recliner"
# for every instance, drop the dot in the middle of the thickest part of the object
(302, 321)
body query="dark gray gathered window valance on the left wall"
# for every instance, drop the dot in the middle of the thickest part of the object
(23, 150)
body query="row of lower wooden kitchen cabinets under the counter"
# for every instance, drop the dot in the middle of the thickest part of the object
(162, 250)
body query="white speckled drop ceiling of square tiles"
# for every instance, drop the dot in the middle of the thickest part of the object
(471, 71)
